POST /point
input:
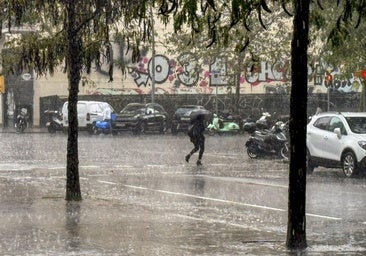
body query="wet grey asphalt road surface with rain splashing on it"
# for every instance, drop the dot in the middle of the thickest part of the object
(141, 198)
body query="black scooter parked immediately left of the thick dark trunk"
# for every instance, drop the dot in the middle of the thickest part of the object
(268, 143)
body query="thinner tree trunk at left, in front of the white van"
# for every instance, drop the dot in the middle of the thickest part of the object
(74, 66)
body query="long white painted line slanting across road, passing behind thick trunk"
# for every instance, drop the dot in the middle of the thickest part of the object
(227, 201)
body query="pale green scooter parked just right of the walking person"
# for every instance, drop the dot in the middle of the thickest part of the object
(221, 125)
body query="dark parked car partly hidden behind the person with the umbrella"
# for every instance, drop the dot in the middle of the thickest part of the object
(182, 117)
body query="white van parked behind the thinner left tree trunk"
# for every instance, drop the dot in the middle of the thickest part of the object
(88, 113)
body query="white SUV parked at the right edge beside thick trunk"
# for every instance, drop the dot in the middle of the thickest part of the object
(337, 139)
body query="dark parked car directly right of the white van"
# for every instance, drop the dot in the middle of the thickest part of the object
(141, 118)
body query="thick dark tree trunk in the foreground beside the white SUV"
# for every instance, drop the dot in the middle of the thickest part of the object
(296, 227)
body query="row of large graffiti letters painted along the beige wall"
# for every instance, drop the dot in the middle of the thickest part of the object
(186, 70)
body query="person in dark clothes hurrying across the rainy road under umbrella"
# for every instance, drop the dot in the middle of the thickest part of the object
(197, 137)
